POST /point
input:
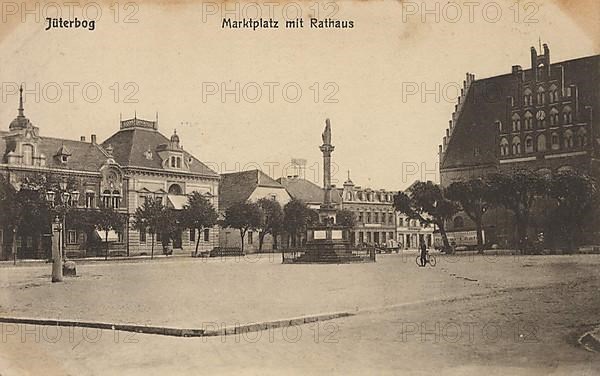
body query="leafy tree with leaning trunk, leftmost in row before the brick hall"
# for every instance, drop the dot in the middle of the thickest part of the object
(426, 202)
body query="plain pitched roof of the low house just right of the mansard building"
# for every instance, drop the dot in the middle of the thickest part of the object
(239, 186)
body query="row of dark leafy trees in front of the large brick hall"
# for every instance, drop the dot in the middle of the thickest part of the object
(565, 201)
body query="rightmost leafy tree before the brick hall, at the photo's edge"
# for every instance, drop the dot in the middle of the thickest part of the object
(575, 195)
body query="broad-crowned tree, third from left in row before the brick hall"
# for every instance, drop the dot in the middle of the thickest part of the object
(517, 192)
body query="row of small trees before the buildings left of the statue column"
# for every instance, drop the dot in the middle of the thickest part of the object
(27, 211)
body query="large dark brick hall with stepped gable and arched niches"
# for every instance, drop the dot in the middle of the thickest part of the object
(540, 119)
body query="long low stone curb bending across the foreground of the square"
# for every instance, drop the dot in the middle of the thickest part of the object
(177, 332)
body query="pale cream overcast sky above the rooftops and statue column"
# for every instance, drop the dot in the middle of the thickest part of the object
(171, 56)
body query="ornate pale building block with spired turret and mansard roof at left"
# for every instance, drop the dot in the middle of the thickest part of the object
(135, 163)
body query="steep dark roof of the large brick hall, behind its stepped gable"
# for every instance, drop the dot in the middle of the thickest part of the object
(486, 103)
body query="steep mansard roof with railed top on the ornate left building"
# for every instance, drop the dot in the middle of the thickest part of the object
(136, 146)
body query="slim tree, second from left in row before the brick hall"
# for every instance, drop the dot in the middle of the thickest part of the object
(474, 199)
